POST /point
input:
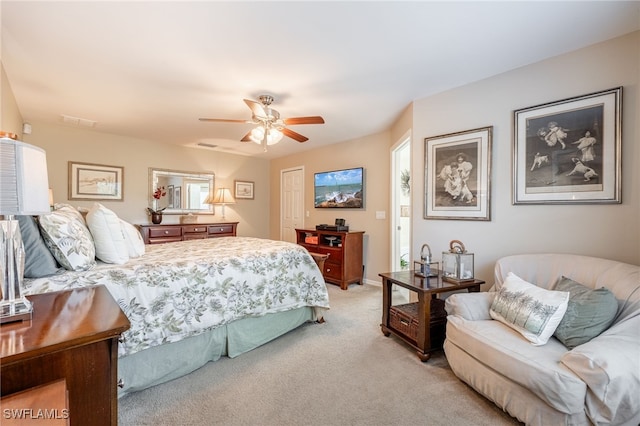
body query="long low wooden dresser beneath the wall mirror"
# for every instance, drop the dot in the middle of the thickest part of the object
(157, 234)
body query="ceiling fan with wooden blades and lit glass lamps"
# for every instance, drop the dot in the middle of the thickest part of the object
(270, 127)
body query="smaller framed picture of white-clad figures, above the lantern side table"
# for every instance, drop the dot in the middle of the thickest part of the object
(457, 175)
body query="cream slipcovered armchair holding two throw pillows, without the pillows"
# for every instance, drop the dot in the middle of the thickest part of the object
(597, 382)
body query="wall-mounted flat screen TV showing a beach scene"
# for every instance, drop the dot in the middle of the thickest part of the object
(339, 189)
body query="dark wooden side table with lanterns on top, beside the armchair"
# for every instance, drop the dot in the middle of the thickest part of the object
(420, 323)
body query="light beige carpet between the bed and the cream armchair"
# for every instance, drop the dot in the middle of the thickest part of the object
(342, 372)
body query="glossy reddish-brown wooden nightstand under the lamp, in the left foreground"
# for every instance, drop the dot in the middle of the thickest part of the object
(73, 336)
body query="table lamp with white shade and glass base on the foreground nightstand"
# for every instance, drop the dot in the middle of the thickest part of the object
(24, 190)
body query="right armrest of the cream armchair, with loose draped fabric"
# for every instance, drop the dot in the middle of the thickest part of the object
(610, 366)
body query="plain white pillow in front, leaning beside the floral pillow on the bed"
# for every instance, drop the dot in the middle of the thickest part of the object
(108, 235)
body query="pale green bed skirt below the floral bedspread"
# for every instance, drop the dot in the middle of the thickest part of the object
(160, 364)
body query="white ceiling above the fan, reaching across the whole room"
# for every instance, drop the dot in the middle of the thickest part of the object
(150, 69)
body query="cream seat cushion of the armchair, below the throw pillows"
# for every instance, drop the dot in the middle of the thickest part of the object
(537, 368)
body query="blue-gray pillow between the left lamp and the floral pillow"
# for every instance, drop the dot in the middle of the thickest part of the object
(38, 262)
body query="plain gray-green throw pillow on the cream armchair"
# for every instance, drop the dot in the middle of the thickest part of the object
(589, 313)
